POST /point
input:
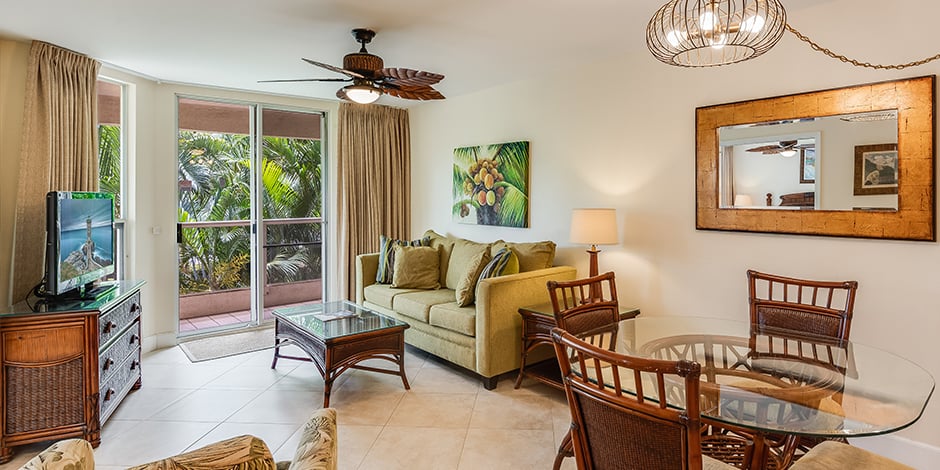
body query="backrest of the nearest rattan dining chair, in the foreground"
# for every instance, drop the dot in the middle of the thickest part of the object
(614, 429)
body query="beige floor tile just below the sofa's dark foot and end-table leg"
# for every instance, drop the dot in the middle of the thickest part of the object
(512, 411)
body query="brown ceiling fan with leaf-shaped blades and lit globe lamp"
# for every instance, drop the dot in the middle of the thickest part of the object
(370, 79)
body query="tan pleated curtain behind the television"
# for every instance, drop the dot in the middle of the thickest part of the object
(60, 149)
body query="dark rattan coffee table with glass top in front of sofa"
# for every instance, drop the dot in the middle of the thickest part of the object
(338, 336)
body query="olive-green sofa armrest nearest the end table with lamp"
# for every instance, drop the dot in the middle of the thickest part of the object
(498, 323)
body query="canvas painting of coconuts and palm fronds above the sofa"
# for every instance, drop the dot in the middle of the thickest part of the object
(491, 184)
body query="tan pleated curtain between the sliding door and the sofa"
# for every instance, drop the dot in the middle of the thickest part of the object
(374, 181)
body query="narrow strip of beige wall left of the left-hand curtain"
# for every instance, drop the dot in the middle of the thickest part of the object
(13, 57)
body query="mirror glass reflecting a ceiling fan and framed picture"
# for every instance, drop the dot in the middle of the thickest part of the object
(843, 163)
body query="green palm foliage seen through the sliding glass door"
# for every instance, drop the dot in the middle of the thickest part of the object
(214, 172)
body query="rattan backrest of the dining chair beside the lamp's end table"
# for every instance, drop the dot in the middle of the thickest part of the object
(585, 304)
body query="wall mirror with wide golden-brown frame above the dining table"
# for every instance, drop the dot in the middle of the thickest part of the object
(851, 162)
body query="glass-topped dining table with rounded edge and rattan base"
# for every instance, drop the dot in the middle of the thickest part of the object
(778, 382)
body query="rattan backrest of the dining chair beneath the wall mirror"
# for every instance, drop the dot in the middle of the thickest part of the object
(821, 308)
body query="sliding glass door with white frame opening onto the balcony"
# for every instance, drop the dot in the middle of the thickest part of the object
(249, 211)
